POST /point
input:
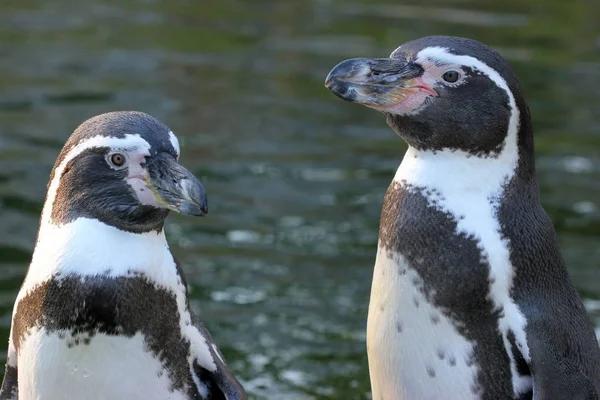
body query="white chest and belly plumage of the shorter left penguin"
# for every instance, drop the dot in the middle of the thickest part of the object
(107, 367)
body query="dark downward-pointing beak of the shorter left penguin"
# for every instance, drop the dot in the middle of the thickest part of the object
(174, 187)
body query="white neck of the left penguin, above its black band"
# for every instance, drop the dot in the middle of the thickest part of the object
(89, 247)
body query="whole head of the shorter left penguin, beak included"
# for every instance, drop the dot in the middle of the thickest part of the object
(122, 169)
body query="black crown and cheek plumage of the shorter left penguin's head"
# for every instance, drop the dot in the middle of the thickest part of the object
(89, 187)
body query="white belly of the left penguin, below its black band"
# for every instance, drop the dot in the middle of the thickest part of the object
(108, 368)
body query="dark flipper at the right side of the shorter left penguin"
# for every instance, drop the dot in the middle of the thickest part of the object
(222, 385)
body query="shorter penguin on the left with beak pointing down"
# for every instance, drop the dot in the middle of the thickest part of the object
(103, 312)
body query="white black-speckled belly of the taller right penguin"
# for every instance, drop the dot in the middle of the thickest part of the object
(415, 352)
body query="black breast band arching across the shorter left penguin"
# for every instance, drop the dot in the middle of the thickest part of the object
(78, 308)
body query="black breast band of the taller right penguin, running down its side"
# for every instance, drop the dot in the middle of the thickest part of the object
(452, 274)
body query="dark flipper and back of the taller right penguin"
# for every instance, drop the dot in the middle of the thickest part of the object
(564, 358)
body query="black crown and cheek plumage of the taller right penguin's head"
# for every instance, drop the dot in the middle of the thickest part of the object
(472, 116)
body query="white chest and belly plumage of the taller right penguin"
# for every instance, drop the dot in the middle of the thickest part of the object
(415, 352)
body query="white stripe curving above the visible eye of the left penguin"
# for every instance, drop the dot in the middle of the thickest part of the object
(129, 142)
